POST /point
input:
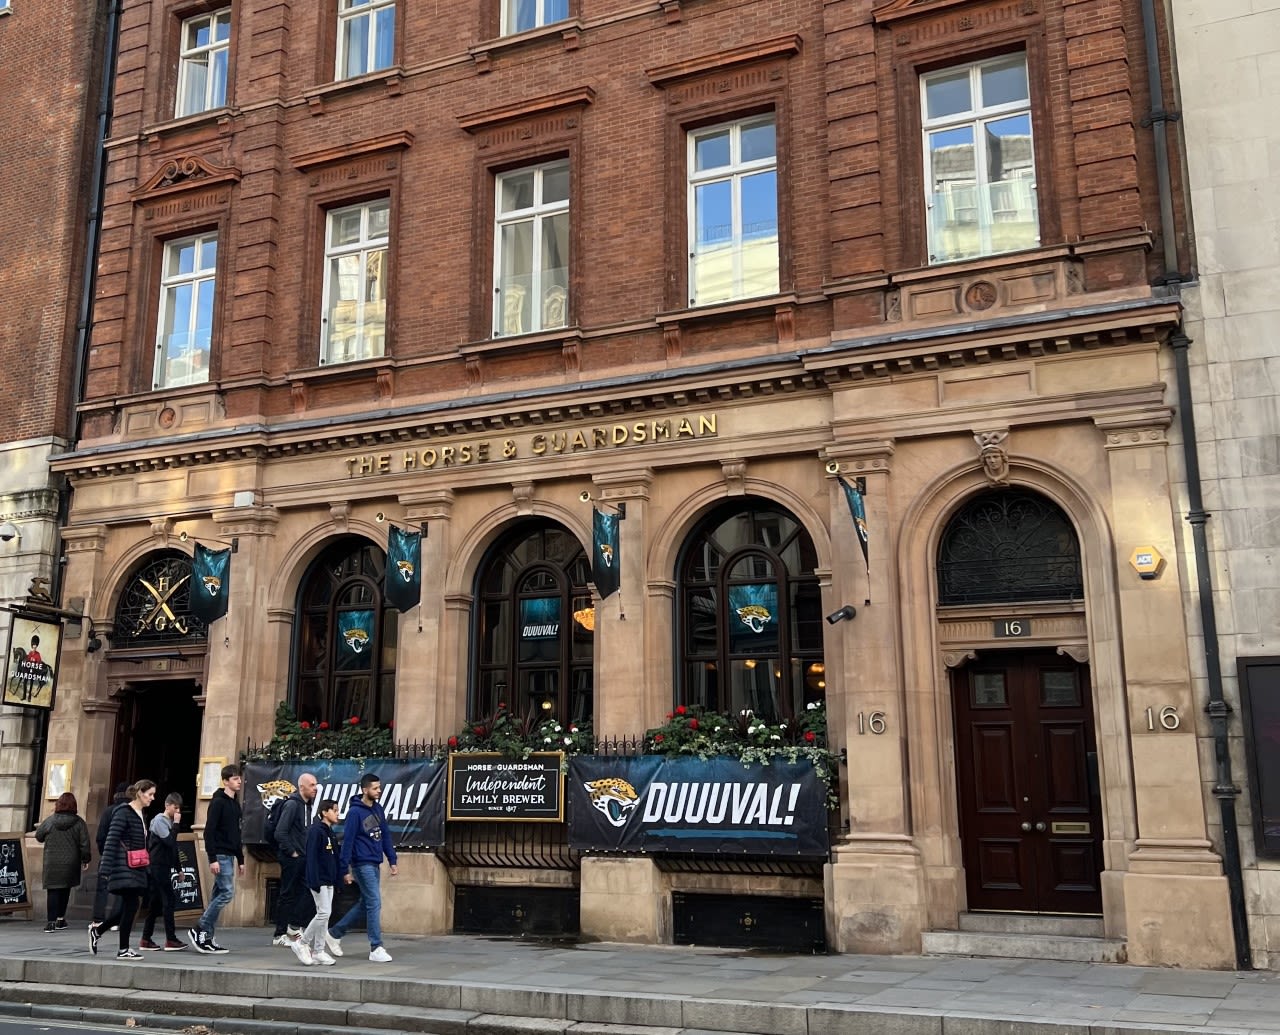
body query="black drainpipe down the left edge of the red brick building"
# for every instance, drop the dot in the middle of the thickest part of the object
(80, 358)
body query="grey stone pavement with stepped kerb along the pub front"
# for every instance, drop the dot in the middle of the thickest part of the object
(469, 986)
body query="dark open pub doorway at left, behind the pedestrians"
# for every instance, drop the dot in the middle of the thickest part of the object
(158, 738)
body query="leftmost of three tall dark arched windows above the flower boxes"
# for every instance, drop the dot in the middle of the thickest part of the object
(345, 656)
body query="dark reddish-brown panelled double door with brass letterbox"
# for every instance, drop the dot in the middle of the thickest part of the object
(1027, 773)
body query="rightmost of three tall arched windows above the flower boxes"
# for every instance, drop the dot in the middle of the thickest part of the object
(751, 613)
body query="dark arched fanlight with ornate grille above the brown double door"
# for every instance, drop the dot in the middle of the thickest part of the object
(1007, 546)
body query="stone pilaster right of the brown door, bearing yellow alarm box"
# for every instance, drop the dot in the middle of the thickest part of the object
(1176, 895)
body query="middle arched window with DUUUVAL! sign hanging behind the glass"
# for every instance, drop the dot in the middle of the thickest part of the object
(534, 640)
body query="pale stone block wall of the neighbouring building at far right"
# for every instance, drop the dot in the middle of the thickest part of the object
(1228, 86)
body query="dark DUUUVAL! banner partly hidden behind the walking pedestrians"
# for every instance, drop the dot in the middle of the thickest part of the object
(413, 795)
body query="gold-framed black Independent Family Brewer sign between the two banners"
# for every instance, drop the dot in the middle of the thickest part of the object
(493, 787)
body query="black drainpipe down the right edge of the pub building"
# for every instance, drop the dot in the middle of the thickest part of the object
(1218, 708)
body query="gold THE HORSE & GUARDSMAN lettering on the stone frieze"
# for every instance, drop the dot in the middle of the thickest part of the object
(473, 452)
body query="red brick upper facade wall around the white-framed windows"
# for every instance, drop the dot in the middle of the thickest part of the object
(615, 90)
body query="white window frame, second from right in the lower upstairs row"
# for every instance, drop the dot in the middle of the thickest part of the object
(735, 172)
